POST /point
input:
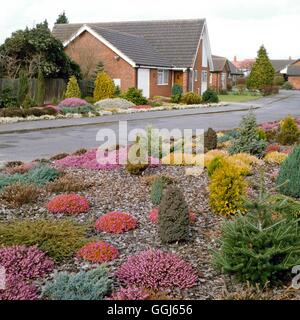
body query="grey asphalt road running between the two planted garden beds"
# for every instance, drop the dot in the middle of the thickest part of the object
(29, 146)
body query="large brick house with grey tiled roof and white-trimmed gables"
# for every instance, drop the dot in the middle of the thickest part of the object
(149, 55)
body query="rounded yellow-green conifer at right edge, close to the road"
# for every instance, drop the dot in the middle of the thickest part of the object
(288, 132)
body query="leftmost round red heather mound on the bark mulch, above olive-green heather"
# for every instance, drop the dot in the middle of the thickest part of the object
(68, 204)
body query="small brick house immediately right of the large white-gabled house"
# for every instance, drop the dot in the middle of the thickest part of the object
(224, 74)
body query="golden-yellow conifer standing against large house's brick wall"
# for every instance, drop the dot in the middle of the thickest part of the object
(104, 87)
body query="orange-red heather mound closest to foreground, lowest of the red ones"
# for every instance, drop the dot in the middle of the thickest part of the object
(98, 252)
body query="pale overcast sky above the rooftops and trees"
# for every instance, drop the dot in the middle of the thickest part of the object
(236, 27)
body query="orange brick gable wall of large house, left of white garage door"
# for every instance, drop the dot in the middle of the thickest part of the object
(88, 51)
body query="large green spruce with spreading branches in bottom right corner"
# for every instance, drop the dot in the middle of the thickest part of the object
(259, 247)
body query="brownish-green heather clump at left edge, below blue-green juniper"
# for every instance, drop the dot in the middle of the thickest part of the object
(19, 194)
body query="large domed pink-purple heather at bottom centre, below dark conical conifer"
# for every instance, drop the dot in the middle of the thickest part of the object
(157, 270)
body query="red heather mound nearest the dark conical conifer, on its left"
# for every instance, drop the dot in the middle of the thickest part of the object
(116, 222)
